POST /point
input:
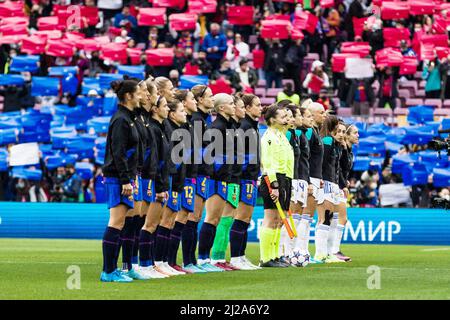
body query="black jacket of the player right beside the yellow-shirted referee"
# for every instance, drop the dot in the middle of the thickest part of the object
(252, 147)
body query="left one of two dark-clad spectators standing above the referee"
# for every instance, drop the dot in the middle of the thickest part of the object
(274, 62)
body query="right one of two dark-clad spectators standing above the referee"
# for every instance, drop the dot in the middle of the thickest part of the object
(294, 62)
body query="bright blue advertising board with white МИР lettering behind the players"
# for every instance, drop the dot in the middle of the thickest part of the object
(88, 221)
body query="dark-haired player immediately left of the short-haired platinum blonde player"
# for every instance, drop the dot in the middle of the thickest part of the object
(200, 121)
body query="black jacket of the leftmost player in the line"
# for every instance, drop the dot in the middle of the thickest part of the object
(122, 147)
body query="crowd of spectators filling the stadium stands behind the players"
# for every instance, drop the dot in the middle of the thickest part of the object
(275, 49)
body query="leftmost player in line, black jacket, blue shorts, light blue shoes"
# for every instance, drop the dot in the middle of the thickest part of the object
(120, 169)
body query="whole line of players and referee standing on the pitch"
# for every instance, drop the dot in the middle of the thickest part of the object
(156, 200)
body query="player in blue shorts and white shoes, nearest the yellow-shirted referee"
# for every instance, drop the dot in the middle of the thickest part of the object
(250, 173)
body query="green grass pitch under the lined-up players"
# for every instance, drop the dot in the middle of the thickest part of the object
(37, 269)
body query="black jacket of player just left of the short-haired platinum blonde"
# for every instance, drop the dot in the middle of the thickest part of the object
(199, 121)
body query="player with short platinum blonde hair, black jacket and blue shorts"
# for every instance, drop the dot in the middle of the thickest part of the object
(220, 178)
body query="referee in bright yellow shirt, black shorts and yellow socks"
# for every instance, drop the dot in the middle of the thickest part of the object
(277, 162)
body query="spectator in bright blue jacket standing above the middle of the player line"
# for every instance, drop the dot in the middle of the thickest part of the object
(215, 44)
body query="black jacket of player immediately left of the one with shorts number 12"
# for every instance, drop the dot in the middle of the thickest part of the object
(177, 167)
